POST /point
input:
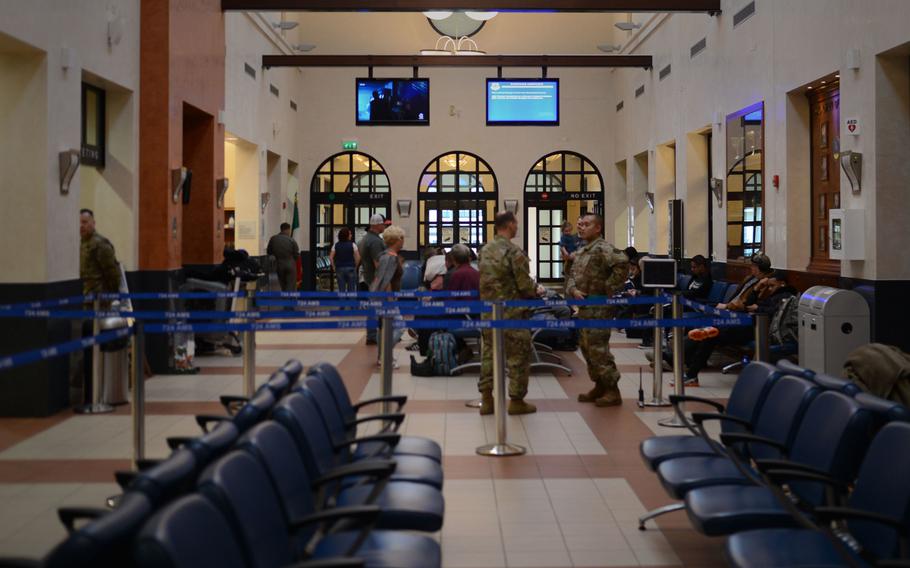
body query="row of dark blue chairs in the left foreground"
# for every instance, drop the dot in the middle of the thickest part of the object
(280, 479)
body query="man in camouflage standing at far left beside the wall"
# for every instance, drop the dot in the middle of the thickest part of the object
(100, 273)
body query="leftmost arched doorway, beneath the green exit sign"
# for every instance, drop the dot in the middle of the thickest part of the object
(346, 190)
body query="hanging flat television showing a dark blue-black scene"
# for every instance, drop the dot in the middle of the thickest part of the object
(393, 102)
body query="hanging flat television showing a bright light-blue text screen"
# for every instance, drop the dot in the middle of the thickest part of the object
(523, 102)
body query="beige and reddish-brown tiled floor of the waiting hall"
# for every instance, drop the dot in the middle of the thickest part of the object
(572, 500)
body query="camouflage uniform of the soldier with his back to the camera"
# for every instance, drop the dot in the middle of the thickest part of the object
(505, 275)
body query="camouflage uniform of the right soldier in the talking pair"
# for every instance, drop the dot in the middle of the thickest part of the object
(599, 270)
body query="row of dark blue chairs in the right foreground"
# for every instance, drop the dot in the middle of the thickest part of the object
(809, 471)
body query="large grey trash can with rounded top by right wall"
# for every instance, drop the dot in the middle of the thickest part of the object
(832, 323)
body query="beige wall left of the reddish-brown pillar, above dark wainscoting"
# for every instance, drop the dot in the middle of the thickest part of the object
(75, 33)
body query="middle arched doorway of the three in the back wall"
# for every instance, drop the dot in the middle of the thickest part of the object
(456, 198)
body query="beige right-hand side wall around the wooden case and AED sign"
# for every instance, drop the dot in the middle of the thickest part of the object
(784, 46)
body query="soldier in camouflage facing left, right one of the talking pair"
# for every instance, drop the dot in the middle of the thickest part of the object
(599, 270)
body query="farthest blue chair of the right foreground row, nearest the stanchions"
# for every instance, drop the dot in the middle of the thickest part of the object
(742, 411)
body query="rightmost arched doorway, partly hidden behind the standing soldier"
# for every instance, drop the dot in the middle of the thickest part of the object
(560, 187)
